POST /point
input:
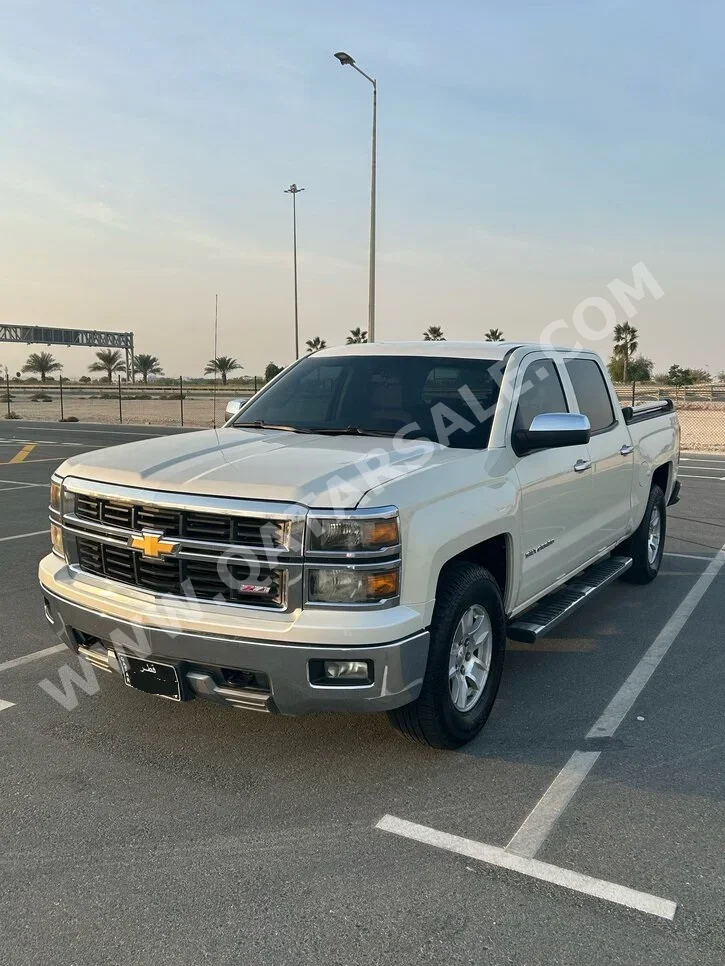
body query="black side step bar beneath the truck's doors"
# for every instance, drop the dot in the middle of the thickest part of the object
(545, 615)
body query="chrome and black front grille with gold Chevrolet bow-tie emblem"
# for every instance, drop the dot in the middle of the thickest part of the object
(232, 551)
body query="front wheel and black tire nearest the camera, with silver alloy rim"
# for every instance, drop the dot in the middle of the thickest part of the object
(465, 590)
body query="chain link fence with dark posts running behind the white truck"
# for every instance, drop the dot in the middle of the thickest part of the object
(701, 409)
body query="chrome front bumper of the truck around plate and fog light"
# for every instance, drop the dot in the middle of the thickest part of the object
(213, 666)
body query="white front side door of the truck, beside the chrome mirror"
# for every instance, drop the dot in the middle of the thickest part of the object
(555, 487)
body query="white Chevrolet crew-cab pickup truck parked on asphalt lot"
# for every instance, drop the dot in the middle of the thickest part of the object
(364, 533)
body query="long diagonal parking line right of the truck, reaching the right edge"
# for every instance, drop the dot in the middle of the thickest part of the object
(617, 709)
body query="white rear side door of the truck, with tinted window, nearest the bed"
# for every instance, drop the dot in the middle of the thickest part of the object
(610, 449)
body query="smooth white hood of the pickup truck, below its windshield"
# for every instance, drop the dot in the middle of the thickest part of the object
(315, 471)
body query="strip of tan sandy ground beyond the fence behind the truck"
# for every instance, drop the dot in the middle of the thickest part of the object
(702, 429)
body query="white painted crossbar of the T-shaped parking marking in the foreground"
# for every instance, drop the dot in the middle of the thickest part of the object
(493, 855)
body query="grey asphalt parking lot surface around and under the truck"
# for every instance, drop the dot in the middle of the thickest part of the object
(138, 831)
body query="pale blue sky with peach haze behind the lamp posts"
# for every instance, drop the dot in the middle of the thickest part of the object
(529, 153)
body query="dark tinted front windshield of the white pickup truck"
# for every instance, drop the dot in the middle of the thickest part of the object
(450, 401)
